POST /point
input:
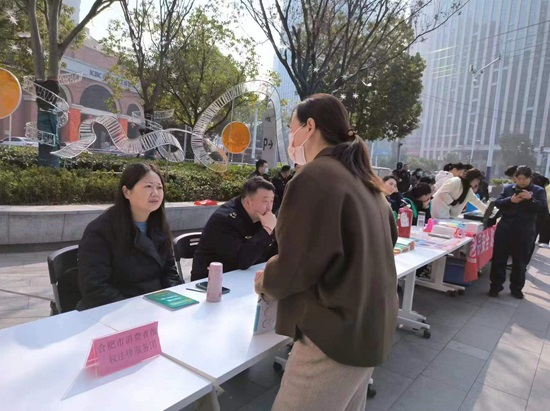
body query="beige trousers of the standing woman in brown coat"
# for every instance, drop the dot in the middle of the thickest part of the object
(313, 381)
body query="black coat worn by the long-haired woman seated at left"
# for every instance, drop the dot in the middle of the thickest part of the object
(107, 273)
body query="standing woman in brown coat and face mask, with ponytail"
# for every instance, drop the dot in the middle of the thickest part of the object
(334, 276)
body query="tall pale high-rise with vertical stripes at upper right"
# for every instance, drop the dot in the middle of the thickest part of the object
(459, 108)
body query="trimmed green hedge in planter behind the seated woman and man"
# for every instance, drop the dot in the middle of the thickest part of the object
(93, 179)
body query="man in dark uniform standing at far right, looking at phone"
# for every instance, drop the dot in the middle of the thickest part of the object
(519, 203)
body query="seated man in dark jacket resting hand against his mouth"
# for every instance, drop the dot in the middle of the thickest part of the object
(240, 233)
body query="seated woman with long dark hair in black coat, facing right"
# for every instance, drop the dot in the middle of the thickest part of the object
(127, 251)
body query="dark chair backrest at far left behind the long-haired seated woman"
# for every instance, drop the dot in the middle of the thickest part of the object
(63, 268)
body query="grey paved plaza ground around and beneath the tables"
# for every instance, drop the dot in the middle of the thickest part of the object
(485, 354)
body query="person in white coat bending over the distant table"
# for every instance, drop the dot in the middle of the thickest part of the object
(449, 201)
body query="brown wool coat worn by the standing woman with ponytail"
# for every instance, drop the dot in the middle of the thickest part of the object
(335, 275)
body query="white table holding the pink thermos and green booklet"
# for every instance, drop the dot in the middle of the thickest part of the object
(215, 340)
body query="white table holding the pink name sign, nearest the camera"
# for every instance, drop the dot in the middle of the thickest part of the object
(43, 369)
